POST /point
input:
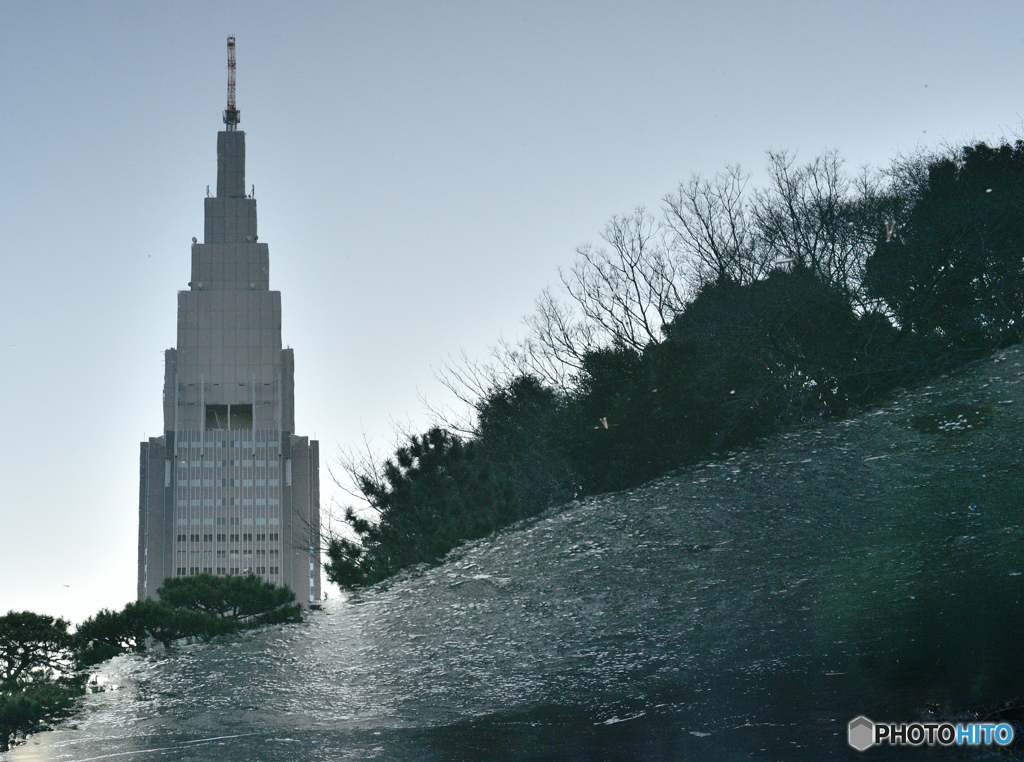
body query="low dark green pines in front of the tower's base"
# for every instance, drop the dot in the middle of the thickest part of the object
(44, 663)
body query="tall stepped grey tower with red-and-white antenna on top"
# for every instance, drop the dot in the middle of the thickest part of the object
(230, 489)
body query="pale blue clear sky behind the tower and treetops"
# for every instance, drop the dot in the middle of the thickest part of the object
(422, 171)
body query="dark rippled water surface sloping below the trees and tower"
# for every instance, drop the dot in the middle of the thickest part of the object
(743, 610)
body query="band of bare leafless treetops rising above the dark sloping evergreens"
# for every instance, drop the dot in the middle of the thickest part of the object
(814, 217)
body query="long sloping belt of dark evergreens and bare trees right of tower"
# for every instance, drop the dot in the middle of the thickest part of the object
(730, 316)
